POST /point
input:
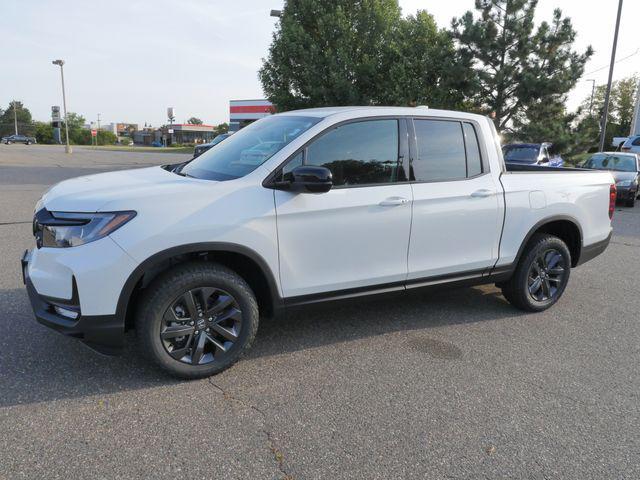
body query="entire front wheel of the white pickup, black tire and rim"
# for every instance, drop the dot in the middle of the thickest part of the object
(174, 304)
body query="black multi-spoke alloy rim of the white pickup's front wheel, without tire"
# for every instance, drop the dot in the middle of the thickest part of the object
(201, 325)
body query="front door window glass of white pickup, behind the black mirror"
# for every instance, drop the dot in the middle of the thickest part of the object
(358, 153)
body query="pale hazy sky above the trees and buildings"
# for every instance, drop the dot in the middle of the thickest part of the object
(128, 60)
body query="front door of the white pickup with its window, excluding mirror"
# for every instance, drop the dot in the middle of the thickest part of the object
(357, 234)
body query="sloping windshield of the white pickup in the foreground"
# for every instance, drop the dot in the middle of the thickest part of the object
(249, 148)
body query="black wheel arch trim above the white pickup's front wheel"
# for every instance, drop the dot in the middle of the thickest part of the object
(244, 261)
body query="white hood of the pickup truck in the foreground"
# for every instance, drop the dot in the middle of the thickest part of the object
(93, 193)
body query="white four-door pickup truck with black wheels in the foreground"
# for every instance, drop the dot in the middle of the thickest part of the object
(303, 207)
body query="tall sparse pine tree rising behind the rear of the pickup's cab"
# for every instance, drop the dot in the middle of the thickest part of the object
(518, 67)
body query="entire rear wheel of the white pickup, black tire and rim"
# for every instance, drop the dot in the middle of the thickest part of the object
(537, 264)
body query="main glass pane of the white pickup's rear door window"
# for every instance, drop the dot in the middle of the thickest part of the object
(441, 153)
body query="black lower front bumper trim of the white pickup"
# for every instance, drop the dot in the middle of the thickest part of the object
(103, 333)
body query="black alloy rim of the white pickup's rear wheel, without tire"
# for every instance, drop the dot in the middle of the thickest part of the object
(546, 275)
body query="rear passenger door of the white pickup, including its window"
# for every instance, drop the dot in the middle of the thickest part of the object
(456, 217)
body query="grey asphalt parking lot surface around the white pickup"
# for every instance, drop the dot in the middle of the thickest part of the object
(454, 384)
